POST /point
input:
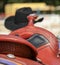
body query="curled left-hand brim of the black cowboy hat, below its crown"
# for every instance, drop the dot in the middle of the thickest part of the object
(10, 23)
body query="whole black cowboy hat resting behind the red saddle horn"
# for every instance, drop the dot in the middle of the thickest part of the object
(20, 19)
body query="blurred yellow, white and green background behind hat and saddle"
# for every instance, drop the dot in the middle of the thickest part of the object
(49, 9)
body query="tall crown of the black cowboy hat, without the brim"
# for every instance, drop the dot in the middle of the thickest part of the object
(21, 14)
